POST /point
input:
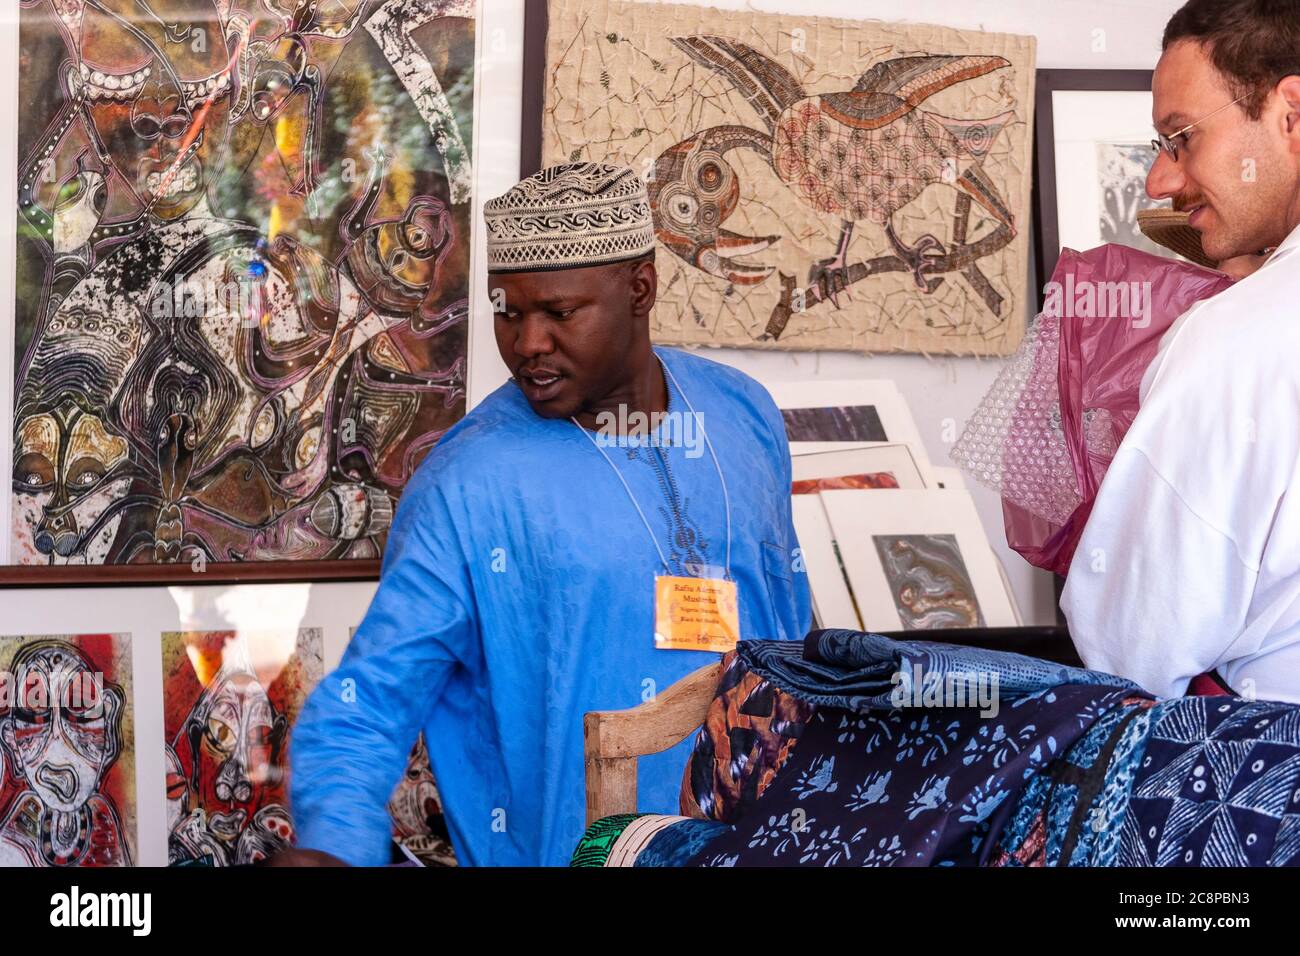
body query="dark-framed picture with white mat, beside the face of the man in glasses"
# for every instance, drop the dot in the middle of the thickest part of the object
(1093, 142)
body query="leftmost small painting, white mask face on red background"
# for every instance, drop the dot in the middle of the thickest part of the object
(67, 752)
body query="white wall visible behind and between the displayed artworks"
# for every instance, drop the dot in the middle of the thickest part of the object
(937, 390)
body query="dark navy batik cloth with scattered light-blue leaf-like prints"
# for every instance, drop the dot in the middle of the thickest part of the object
(876, 784)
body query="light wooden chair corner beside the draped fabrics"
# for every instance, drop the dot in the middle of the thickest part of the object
(614, 739)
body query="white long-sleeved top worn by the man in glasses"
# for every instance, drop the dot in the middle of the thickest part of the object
(1191, 559)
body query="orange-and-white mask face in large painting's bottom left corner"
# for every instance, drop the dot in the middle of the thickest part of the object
(66, 460)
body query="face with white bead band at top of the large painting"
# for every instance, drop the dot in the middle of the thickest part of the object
(159, 93)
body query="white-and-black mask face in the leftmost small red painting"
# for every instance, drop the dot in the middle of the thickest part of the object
(63, 733)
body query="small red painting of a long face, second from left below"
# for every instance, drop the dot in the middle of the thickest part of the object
(229, 702)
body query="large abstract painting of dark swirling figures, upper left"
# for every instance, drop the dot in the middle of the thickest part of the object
(242, 274)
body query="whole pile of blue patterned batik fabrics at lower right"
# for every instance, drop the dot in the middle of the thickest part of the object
(1091, 772)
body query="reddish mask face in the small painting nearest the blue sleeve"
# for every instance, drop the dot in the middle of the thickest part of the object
(239, 741)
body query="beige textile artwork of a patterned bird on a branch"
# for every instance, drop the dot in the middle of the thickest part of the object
(816, 184)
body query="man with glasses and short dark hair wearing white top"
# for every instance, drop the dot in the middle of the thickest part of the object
(1190, 563)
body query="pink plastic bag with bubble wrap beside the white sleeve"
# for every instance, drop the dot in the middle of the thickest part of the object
(1046, 434)
